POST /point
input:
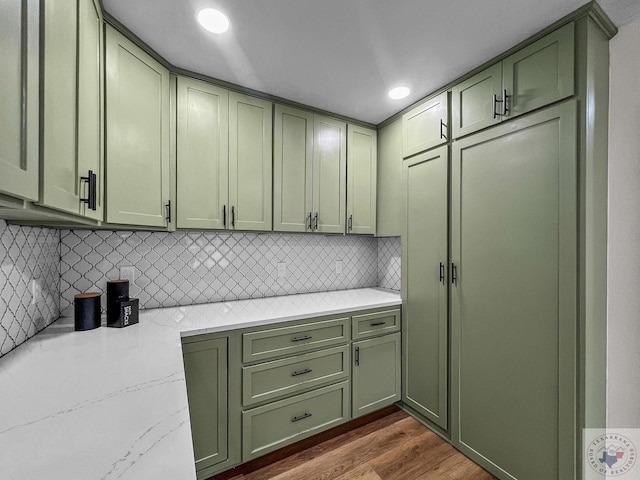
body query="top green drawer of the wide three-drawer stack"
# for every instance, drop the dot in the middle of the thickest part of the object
(277, 342)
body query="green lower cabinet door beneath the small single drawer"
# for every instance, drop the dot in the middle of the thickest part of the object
(376, 374)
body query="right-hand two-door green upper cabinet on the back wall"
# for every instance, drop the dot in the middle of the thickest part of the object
(310, 172)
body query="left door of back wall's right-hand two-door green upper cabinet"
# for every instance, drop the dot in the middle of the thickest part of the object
(293, 169)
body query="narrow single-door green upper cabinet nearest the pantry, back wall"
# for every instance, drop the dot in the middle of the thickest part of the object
(362, 163)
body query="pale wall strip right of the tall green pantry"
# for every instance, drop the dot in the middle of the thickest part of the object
(623, 377)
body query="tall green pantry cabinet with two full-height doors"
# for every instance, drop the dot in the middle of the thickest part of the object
(504, 261)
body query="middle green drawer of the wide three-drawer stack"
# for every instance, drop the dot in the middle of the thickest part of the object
(278, 378)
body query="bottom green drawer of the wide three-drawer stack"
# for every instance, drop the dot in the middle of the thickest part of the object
(277, 424)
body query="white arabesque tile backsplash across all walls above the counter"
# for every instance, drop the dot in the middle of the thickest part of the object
(177, 268)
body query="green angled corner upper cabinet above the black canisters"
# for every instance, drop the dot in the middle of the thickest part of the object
(138, 137)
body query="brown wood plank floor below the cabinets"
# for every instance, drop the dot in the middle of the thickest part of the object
(395, 447)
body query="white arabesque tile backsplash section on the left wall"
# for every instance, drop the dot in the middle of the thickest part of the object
(29, 282)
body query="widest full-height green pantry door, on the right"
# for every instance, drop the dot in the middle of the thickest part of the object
(514, 245)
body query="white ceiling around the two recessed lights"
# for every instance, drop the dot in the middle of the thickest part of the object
(344, 55)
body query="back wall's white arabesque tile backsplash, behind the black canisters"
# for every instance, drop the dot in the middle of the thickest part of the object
(183, 268)
